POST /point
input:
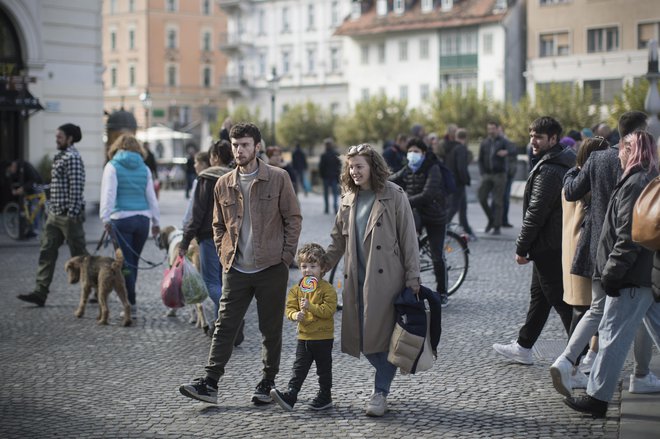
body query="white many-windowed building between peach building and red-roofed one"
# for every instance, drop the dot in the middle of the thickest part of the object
(292, 38)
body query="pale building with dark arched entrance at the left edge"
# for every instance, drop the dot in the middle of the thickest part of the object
(56, 45)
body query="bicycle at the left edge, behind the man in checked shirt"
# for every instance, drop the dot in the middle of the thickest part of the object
(19, 219)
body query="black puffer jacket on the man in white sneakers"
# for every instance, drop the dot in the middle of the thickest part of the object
(542, 212)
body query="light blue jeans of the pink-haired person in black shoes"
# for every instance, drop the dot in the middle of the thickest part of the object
(621, 319)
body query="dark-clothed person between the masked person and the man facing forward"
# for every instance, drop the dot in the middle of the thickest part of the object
(456, 159)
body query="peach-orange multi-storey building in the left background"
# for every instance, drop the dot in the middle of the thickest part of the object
(163, 63)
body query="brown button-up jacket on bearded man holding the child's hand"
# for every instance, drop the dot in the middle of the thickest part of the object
(274, 211)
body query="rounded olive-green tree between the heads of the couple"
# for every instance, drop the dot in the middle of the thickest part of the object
(306, 124)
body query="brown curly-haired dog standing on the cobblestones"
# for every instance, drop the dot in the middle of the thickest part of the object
(103, 274)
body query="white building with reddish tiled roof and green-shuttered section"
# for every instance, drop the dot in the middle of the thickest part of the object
(409, 49)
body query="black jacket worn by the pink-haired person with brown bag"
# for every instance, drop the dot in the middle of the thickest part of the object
(621, 263)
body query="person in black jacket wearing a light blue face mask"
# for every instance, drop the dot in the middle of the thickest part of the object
(422, 181)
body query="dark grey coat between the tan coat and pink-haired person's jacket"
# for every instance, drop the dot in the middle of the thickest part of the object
(598, 176)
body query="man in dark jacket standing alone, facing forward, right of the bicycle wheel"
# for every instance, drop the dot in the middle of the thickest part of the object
(493, 165)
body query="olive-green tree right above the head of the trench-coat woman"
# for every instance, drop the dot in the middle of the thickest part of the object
(374, 120)
